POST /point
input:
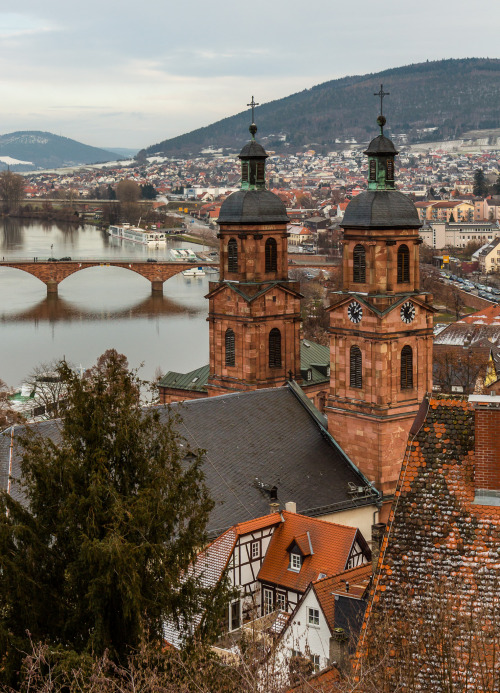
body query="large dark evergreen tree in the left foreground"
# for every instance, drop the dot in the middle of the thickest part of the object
(116, 511)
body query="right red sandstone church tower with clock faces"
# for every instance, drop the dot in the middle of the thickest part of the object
(381, 325)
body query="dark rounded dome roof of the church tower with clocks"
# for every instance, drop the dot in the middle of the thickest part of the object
(381, 209)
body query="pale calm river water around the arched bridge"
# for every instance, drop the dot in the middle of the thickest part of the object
(97, 308)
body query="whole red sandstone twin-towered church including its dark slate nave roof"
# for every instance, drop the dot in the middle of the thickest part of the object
(279, 418)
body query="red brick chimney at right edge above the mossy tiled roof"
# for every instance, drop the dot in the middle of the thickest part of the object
(486, 449)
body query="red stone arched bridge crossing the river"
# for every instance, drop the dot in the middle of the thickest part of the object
(53, 273)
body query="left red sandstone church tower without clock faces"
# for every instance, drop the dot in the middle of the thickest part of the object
(254, 310)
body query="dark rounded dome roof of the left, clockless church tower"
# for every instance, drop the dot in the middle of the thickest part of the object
(253, 207)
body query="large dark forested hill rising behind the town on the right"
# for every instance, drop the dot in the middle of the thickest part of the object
(448, 96)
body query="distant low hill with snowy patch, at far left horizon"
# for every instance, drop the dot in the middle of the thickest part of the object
(36, 150)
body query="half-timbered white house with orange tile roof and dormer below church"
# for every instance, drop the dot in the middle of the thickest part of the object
(271, 562)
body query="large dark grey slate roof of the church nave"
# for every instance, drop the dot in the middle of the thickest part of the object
(254, 441)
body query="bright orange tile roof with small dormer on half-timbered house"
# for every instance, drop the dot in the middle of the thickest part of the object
(331, 546)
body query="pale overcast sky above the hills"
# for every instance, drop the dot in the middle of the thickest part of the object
(130, 74)
